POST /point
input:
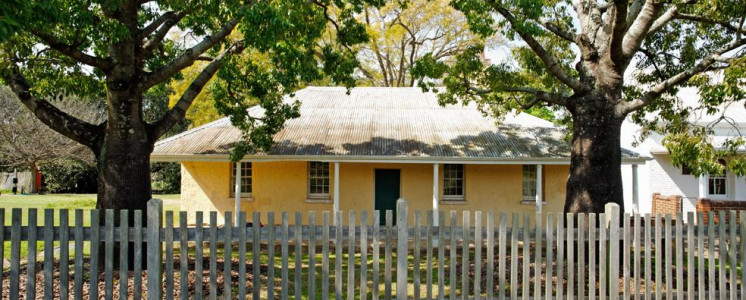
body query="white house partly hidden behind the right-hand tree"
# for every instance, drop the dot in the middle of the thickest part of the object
(659, 175)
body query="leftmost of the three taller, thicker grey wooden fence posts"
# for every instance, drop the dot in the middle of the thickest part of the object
(155, 249)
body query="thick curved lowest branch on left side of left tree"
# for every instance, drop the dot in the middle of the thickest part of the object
(69, 126)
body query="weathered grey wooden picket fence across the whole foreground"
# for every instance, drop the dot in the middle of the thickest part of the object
(474, 255)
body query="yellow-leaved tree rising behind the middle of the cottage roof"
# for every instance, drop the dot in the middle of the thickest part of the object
(402, 32)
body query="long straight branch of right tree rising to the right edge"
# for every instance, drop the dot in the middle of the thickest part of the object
(681, 77)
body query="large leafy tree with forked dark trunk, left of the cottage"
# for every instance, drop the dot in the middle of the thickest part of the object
(119, 50)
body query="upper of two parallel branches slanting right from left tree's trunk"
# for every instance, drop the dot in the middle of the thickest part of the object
(189, 56)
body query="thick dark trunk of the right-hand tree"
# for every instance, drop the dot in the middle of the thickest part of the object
(595, 163)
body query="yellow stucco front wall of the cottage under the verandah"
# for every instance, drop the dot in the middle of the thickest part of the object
(282, 186)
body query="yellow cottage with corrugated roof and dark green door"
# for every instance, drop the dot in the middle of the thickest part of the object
(365, 150)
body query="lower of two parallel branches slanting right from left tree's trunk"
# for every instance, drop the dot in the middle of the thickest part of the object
(177, 113)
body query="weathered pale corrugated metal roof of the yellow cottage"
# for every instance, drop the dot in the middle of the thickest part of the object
(378, 123)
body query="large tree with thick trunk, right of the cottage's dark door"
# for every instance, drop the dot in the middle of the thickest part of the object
(601, 60)
